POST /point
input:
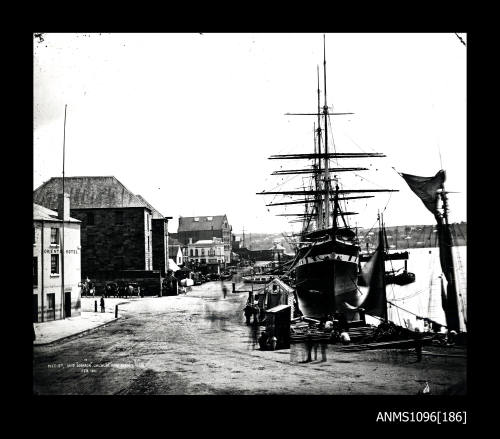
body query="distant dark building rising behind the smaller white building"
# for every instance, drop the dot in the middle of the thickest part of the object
(199, 228)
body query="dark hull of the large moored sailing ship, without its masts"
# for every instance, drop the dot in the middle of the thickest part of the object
(326, 278)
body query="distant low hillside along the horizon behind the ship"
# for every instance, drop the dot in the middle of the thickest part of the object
(400, 237)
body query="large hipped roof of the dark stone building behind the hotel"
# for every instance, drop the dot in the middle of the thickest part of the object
(87, 193)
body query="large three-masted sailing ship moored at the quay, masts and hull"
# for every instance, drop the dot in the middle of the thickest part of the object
(327, 252)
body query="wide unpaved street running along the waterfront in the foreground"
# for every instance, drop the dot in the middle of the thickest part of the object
(198, 343)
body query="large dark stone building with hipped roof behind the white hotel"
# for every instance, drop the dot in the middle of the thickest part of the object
(116, 225)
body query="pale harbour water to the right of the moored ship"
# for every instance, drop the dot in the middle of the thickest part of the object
(423, 297)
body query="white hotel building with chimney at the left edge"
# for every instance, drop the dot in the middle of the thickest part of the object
(56, 290)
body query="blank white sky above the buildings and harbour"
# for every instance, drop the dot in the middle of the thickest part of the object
(188, 121)
